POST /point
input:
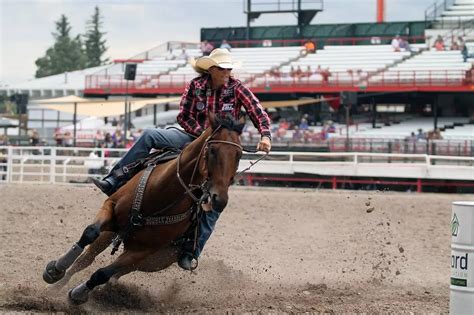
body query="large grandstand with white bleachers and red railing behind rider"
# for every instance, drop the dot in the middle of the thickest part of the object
(356, 58)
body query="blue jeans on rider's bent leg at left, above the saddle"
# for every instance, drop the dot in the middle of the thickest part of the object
(151, 139)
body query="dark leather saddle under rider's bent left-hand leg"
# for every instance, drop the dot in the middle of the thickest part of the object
(160, 156)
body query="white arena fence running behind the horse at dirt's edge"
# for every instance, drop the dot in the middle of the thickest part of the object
(60, 165)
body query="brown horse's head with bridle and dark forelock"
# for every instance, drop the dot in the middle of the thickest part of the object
(222, 155)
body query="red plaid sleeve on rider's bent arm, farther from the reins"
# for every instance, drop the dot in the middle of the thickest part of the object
(187, 111)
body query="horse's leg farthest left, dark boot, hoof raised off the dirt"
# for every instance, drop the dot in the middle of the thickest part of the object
(56, 269)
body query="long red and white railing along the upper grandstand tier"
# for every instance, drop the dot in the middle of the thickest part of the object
(445, 79)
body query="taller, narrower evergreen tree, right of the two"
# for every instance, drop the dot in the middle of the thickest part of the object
(94, 42)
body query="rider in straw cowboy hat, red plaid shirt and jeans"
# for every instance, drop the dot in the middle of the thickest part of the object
(215, 90)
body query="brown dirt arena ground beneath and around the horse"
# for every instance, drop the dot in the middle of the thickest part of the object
(273, 251)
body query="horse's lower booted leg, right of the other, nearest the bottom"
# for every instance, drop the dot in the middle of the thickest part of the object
(124, 264)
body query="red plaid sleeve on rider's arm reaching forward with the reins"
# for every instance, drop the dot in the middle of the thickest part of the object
(254, 109)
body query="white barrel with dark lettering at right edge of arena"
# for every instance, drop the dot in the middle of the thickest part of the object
(462, 258)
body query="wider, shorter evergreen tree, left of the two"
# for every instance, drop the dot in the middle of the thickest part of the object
(65, 55)
